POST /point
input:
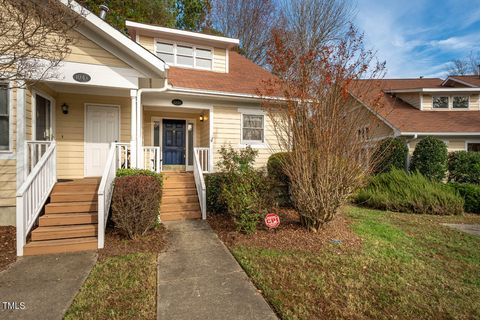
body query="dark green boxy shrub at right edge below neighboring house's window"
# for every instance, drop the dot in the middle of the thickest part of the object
(464, 167)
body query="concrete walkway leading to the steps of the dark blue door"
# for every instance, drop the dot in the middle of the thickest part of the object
(198, 278)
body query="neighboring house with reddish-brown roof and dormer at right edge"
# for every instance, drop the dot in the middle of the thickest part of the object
(447, 109)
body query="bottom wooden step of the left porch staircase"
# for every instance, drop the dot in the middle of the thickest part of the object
(60, 246)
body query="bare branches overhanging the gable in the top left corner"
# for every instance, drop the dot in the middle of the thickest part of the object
(34, 37)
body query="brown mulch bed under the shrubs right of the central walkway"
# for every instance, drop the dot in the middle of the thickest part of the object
(290, 235)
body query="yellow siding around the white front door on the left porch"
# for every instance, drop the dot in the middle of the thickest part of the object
(70, 130)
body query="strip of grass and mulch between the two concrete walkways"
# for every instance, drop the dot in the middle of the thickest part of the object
(123, 283)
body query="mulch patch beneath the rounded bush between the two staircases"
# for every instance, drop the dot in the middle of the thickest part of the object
(117, 244)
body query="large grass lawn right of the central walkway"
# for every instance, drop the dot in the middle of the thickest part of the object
(405, 266)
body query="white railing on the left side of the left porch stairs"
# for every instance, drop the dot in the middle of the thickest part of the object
(33, 193)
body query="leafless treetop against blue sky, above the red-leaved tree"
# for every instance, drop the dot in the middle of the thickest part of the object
(315, 23)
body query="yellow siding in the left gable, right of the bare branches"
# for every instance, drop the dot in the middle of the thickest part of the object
(84, 50)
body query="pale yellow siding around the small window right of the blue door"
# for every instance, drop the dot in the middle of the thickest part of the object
(227, 131)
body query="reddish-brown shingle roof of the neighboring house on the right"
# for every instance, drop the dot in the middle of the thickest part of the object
(409, 120)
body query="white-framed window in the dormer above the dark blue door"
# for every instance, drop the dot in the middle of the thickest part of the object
(185, 55)
